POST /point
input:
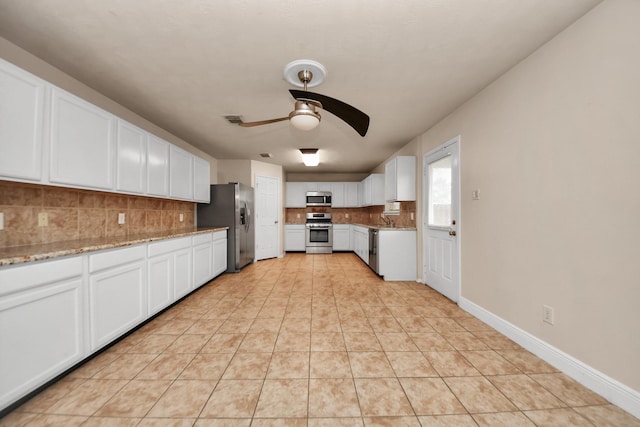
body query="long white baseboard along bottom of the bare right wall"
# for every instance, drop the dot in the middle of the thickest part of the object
(612, 390)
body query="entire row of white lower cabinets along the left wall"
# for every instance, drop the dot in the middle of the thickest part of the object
(55, 313)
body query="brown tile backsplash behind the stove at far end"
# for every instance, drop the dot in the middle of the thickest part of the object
(368, 216)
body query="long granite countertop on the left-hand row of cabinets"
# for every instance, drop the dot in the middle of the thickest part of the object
(38, 252)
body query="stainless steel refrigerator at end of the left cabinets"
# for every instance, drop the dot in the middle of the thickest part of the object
(232, 206)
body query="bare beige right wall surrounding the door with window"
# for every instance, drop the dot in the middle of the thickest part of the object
(554, 147)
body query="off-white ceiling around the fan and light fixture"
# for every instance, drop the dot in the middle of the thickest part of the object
(184, 64)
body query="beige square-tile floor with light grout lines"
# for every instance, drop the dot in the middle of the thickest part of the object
(316, 340)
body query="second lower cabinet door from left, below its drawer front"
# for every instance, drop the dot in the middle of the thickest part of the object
(116, 302)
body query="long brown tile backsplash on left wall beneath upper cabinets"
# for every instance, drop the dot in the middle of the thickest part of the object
(81, 214)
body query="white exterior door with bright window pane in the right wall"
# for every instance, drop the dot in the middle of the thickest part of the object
(441, 265)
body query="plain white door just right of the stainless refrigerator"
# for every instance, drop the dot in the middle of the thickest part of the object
(267, 215)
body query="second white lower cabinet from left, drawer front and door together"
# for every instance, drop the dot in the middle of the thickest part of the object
(117, 293)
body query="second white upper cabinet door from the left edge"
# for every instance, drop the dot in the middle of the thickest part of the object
(82, 143)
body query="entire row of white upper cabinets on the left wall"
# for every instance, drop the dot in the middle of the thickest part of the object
(50, 136)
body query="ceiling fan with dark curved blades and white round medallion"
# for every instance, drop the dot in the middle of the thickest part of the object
(304, 116)
